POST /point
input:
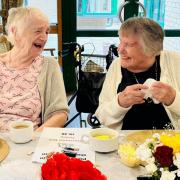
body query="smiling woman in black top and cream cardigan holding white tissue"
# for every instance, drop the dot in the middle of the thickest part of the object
(142, 86)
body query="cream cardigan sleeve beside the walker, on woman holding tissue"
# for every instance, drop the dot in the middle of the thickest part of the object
(109, 112)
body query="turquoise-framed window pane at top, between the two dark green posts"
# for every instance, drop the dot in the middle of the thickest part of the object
(97, 14)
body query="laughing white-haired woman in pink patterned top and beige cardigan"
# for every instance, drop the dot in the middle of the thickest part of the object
(31, 85)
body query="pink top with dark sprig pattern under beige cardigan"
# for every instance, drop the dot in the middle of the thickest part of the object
(19, 94)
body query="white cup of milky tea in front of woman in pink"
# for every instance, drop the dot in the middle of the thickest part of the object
(21, 131)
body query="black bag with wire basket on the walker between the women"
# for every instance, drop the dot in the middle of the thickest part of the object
(92, 71)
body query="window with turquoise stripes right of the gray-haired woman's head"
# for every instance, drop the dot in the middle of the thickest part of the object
(165, 12)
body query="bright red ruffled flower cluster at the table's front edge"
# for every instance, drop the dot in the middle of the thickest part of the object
(62, 167)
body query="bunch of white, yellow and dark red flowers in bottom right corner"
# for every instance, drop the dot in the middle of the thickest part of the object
(161, 156)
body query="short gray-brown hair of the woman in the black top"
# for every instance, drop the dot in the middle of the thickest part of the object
(150, 33)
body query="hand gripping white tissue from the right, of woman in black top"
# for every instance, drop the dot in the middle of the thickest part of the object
(164, 93)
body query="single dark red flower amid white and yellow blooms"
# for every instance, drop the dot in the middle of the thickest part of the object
(164, 156)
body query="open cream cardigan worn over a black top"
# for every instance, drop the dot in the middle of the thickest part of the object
(111, 114)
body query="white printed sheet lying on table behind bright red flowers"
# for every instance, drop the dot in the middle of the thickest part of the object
(72, 140)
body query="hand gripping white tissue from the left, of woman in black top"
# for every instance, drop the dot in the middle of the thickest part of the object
(131, 95)
